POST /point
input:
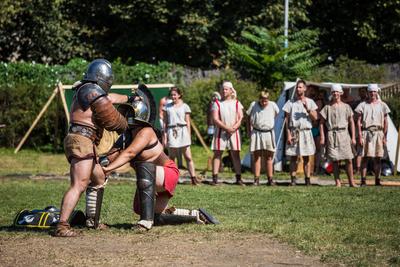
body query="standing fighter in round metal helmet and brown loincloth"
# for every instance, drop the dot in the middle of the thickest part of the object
(92, 111)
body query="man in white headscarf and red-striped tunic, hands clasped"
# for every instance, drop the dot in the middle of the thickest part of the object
(227, 116)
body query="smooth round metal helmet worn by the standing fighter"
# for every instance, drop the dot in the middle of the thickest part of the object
(100, 72)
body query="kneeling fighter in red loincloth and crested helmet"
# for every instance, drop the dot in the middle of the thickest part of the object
(157, 175)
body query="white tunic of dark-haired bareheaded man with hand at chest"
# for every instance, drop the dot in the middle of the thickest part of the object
(300, 125)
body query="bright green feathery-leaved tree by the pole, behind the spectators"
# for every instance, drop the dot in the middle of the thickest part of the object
(261, 55)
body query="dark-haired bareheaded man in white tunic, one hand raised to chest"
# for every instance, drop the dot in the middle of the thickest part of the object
(300, 142)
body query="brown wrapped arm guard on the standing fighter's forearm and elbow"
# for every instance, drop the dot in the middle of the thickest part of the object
(106, 116)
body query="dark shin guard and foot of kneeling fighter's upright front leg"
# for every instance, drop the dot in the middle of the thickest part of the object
(146, 186)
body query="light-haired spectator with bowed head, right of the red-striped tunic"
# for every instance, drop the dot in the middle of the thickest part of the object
(261, 130)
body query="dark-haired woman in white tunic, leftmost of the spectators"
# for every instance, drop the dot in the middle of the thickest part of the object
(177, 130)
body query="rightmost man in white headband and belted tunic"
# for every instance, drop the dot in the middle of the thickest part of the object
(372, 124)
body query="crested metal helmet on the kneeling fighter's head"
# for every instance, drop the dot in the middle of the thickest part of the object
(141, 108)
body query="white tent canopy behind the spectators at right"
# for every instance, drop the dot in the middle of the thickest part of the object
(288, 93)
